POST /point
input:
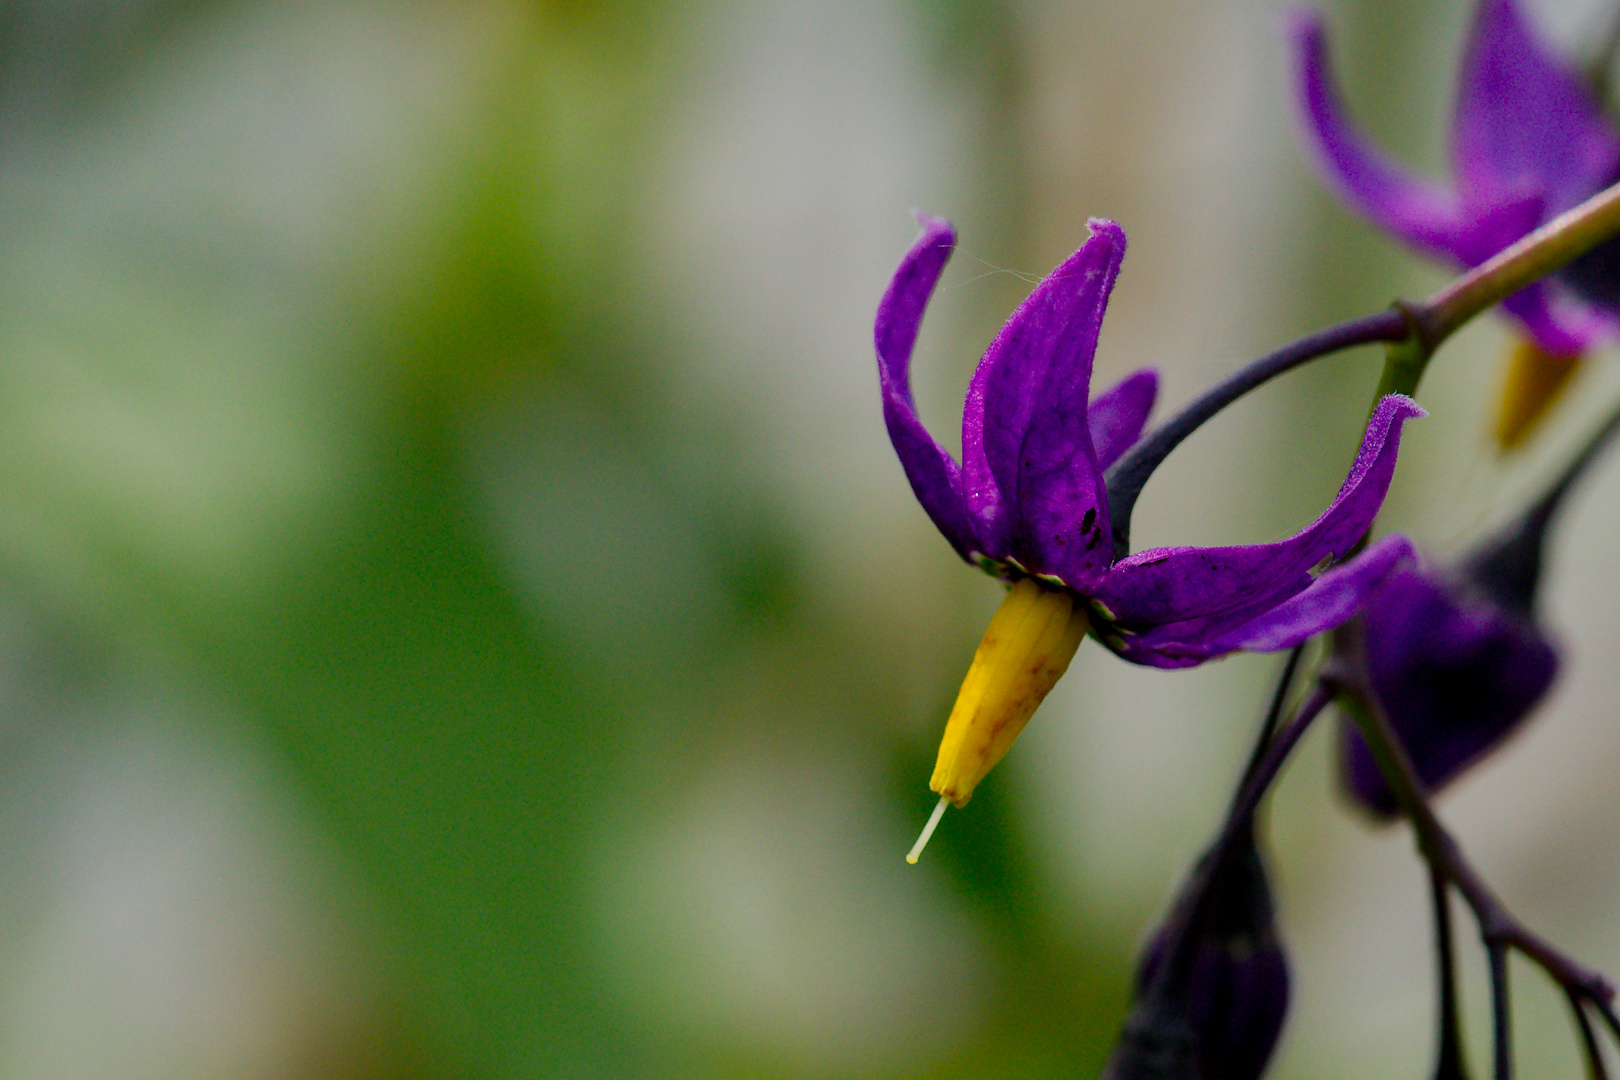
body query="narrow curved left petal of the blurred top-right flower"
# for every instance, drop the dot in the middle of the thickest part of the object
(1422, 213)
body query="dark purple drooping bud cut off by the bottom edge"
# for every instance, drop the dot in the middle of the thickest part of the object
(1213, 989)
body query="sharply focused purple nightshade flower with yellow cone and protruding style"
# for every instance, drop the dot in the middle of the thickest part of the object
(1030, 506)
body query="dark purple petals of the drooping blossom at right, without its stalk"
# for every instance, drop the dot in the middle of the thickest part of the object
(1456, 676)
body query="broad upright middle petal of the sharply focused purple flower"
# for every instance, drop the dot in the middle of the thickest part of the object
(1025, 428)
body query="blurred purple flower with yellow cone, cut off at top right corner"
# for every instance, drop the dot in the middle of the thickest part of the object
(1528, 143)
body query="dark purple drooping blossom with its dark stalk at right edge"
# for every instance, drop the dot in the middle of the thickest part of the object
(1457, 657)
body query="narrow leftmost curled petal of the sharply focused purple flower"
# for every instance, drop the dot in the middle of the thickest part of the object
(931, 470)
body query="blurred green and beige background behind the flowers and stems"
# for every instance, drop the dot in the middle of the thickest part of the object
(459, 611)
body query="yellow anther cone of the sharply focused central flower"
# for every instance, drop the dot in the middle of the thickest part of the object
(1026, 650)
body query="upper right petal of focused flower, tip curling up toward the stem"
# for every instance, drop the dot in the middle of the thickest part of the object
(1174, 598)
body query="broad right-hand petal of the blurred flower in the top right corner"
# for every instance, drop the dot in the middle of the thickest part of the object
(1524, 119)
